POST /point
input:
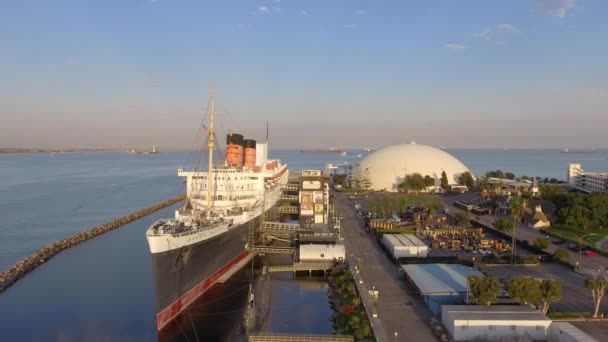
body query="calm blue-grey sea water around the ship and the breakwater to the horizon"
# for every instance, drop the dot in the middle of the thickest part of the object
(102, 289)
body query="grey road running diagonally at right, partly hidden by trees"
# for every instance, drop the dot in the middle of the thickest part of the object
(589, 265)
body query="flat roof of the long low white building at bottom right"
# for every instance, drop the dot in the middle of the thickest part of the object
(493, 313)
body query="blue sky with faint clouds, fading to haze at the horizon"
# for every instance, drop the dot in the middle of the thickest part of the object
(133, 73)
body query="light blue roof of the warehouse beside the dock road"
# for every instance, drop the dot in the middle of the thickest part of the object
(440, 279)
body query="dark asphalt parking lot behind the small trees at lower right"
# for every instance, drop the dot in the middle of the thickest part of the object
(575, 297)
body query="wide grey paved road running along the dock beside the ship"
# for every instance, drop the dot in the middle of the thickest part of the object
(398, 309)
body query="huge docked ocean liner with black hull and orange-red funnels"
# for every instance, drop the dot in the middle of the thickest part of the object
(208, 237)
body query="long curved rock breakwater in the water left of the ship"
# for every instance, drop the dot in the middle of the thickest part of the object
(28, 264)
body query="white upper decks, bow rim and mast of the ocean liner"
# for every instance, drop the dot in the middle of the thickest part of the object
(221, 198)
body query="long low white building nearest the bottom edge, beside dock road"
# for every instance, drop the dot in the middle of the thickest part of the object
(495, 323)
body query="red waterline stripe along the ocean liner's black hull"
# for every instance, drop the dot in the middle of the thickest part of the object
(170, 312)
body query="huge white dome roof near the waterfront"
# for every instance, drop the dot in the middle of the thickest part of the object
(388, 165)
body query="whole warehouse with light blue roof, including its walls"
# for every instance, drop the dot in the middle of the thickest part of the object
(440, 284)
